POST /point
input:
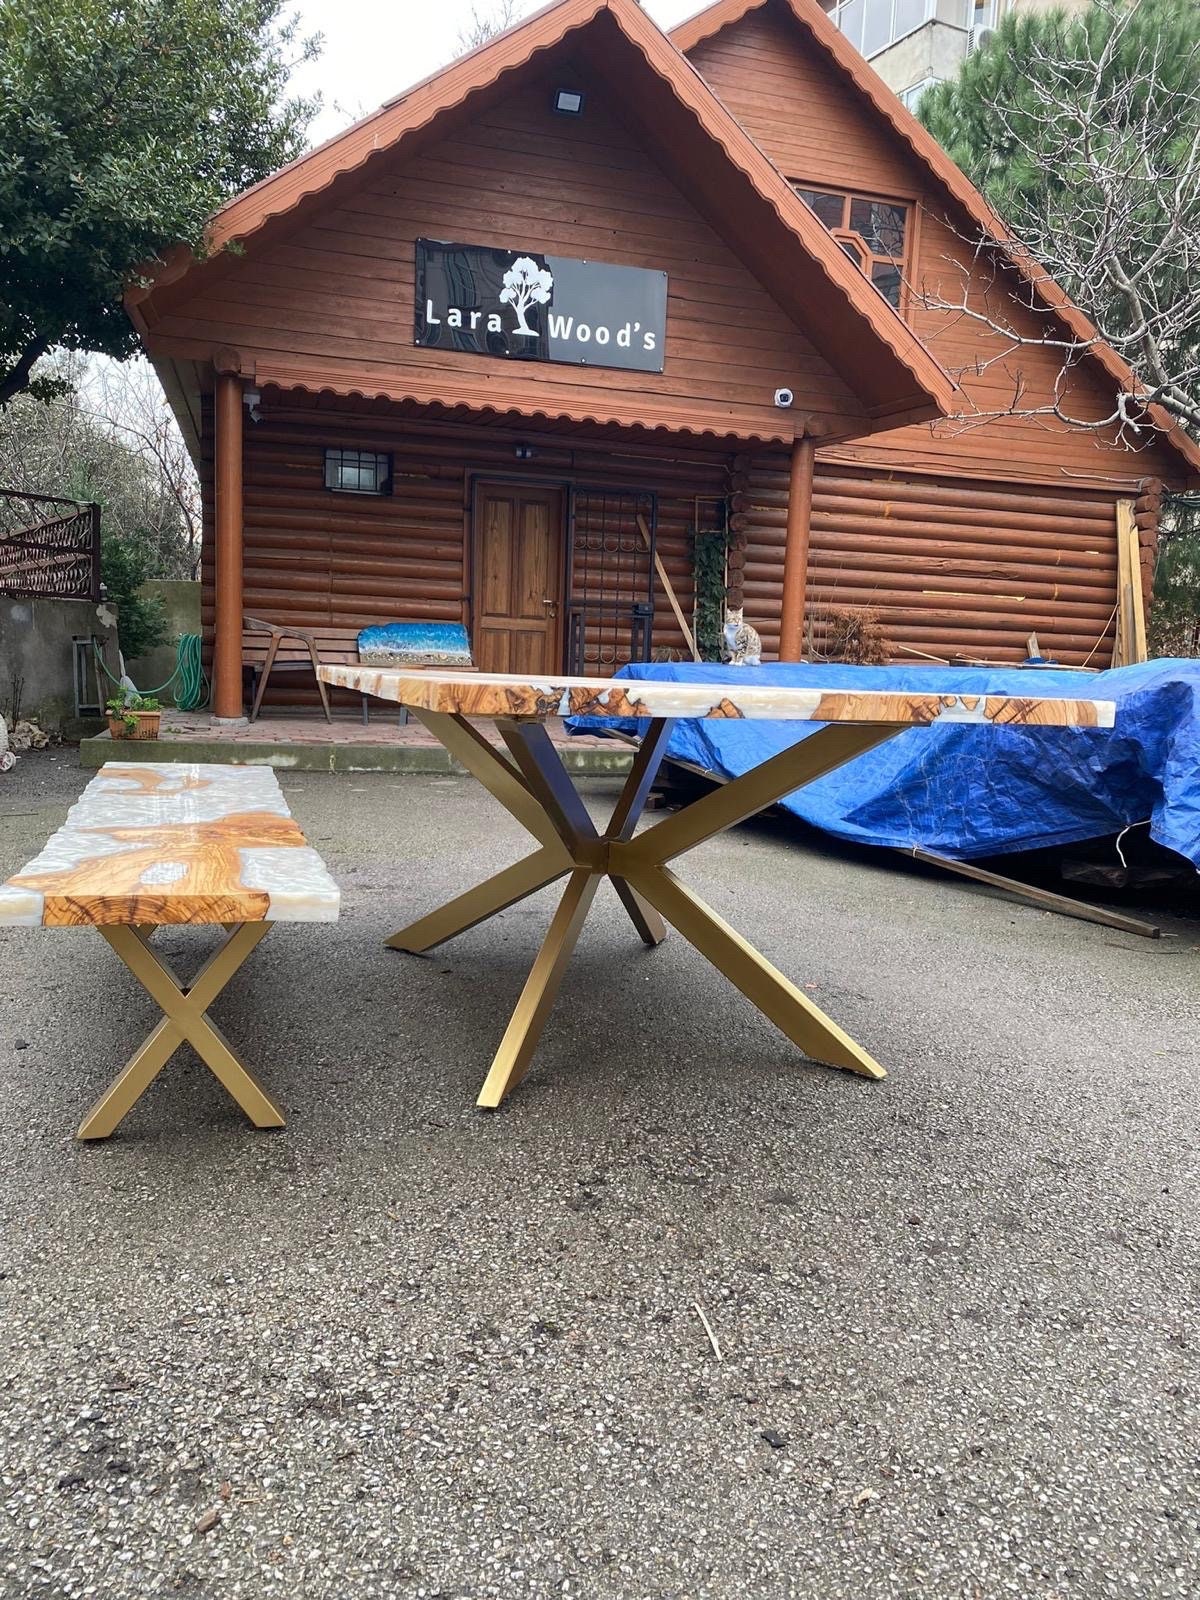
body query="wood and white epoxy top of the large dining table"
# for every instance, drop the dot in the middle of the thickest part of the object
(518, 697)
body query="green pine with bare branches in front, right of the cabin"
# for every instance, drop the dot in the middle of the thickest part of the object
(1084, 132)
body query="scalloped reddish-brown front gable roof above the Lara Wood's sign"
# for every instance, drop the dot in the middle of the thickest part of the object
(703, 148)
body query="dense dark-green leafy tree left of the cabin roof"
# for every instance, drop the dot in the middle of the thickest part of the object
(122, 129)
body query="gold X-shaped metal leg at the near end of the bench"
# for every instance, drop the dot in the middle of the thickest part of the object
(183, 1022)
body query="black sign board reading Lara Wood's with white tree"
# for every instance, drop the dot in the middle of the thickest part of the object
(532, 308)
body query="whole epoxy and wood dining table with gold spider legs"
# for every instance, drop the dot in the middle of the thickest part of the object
(532, 783)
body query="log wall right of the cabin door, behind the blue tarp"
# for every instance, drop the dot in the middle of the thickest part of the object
(953, 567)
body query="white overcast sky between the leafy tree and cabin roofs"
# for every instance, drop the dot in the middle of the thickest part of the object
(375, 49)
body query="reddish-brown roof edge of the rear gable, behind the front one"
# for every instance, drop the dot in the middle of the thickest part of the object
(954, 183)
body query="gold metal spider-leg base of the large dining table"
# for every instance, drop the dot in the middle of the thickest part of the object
(534, 785)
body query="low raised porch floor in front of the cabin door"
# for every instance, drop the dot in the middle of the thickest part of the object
(302, 740)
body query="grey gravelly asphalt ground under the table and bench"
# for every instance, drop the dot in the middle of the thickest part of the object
(406, 1348)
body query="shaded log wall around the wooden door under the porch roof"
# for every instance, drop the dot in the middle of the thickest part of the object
(335, 562)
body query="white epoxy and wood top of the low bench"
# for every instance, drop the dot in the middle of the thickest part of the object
(199, 844)
